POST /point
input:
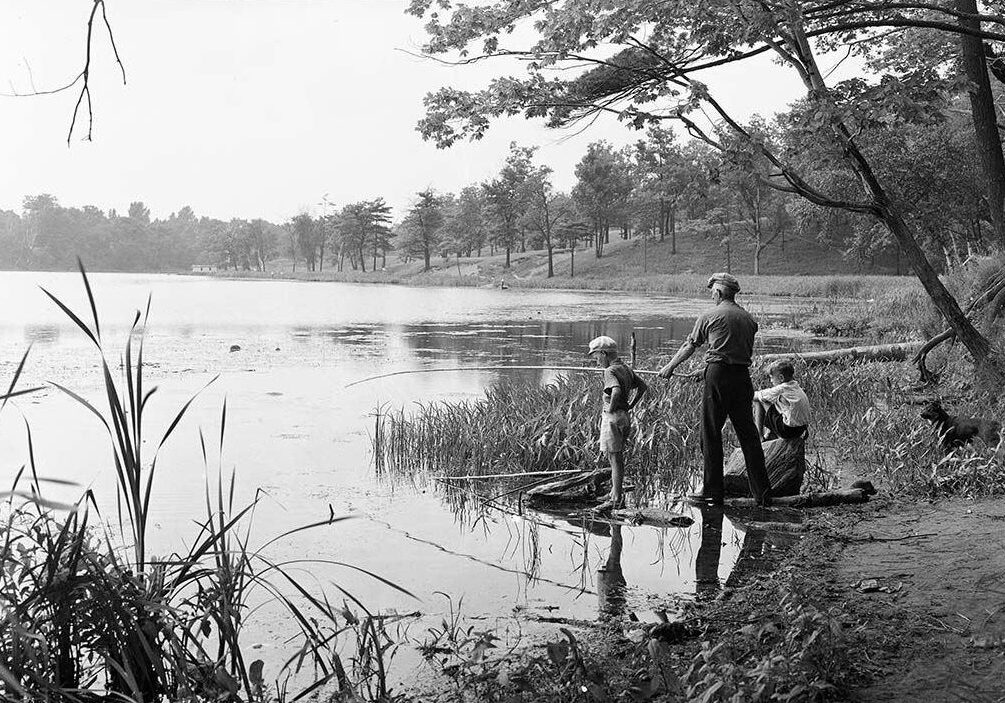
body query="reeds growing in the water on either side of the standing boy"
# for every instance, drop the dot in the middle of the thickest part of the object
(525, 427)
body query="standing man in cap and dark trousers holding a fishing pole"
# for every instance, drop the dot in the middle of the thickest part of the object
(729, 331)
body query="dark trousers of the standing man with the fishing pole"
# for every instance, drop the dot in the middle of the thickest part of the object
(729, 393)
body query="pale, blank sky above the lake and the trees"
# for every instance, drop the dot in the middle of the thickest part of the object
(263, 108)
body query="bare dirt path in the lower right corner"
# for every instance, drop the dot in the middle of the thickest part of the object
(939, 613)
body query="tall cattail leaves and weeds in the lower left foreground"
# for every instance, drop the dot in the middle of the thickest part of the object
(89, 617)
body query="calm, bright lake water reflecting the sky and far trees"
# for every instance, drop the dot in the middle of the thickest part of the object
(297, 433)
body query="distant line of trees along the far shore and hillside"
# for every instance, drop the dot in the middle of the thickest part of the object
(644, 191)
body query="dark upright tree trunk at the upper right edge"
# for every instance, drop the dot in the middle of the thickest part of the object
(982, 109)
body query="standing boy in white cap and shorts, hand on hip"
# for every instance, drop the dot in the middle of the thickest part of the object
(620, 383)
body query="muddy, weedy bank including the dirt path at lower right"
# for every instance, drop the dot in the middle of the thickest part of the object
(885, 602)
